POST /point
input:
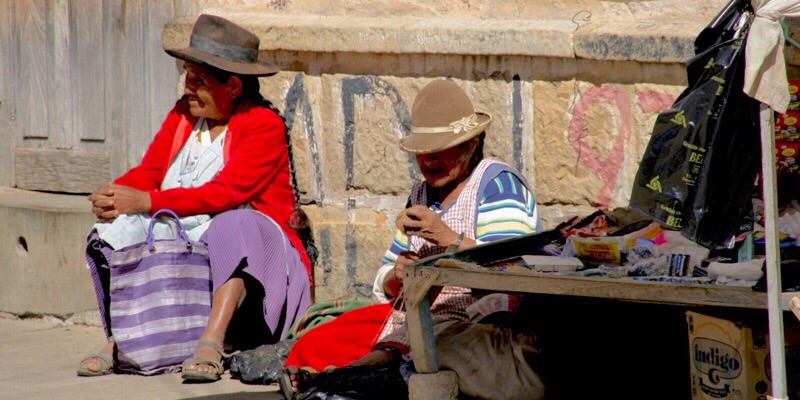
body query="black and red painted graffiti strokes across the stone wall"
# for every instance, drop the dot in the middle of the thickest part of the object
(607, 166)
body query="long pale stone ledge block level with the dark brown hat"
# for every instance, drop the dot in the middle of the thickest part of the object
(395, 34)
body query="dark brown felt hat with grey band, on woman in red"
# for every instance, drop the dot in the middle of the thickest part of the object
(220, 43)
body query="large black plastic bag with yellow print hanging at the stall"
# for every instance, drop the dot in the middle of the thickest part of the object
(698, 171)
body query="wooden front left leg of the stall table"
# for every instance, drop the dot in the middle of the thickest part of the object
(418, 319)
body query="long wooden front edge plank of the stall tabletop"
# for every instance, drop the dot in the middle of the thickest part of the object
(606, 288)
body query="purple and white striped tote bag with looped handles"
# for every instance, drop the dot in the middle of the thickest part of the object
(160, 301)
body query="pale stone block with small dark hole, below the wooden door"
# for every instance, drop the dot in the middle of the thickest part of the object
(43, 241)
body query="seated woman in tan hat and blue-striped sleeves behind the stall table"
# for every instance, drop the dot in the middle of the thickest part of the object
(464, 200)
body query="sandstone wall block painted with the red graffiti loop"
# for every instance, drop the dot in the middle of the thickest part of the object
(589, 139)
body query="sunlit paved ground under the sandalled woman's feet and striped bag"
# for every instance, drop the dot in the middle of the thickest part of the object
(38, 361)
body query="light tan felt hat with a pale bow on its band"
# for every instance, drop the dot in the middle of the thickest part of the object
(442, 117)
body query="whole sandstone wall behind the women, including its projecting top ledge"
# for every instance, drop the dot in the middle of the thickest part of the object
(574, 92)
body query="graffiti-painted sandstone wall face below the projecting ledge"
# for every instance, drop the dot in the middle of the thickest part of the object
(577, 141)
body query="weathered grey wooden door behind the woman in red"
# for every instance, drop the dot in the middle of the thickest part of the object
(84, 86)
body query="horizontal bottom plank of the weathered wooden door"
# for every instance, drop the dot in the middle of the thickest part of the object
(61, 170)
